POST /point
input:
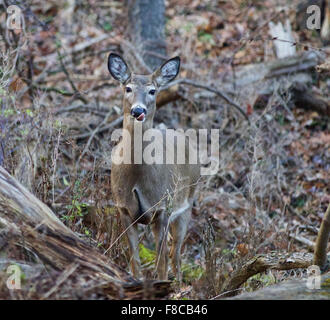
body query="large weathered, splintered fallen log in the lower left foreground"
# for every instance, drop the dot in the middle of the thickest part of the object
(72, 267)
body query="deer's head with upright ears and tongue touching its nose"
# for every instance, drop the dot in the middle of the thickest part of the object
(140, 91)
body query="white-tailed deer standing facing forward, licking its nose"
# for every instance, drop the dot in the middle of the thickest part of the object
(157, 193)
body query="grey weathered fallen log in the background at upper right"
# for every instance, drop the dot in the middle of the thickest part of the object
(292, 75)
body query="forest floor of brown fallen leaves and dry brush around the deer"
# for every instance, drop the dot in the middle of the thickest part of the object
(272, 187)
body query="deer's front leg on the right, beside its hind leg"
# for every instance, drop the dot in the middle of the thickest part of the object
(160, 230)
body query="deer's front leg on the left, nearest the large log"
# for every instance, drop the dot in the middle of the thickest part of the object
(133, 241)
